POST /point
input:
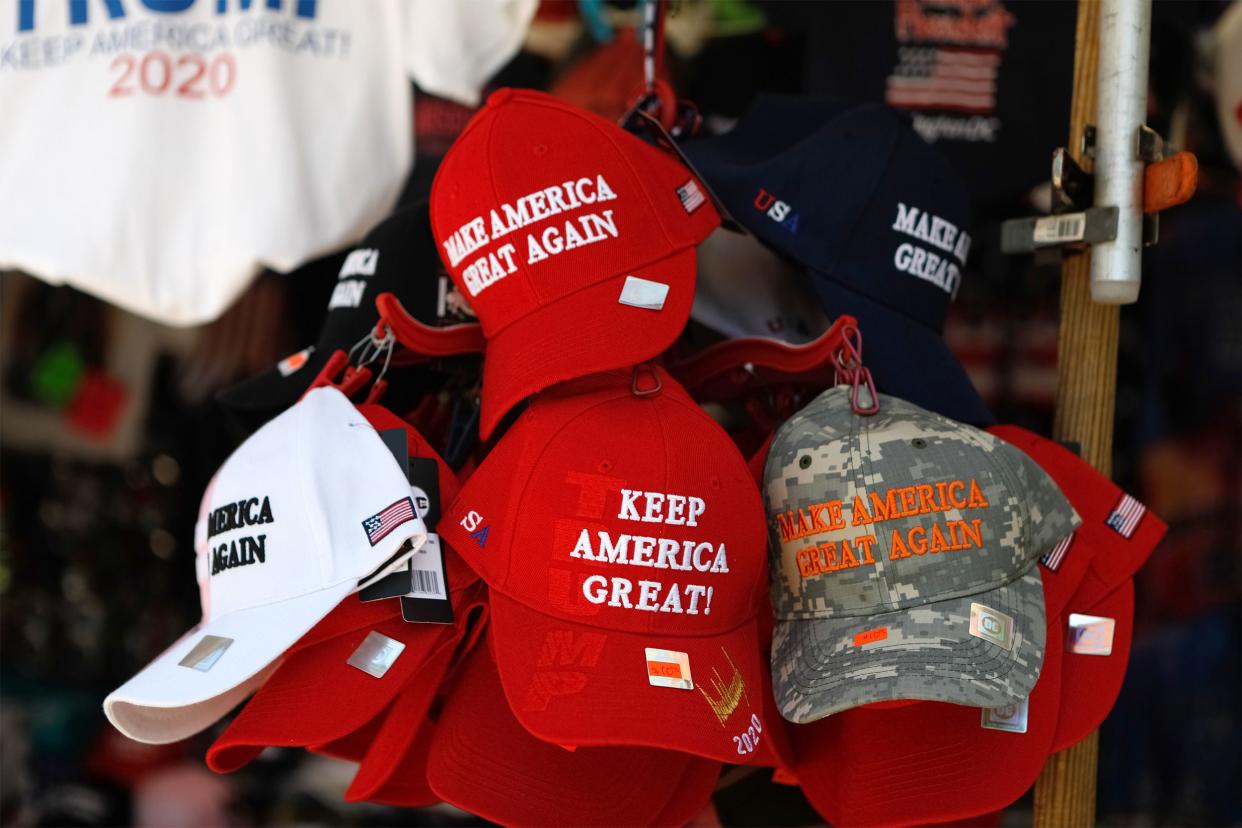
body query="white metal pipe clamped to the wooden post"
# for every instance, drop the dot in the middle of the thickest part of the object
(1122, 102)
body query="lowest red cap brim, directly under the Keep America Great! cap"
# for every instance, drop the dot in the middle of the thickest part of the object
(485, 763)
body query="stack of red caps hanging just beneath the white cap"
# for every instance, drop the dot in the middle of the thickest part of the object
(362, 682)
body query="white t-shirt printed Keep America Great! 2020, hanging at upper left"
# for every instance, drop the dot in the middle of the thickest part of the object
(158, 153)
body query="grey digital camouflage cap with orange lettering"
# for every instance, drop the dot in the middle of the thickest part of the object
(905, 553)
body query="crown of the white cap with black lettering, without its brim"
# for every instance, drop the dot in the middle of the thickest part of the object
(285, 515)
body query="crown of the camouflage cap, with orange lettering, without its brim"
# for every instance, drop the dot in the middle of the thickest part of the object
(870, 515)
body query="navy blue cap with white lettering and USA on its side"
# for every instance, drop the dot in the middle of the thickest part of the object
(876, 217)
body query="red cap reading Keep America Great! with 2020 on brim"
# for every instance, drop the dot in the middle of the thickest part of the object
(623, 541)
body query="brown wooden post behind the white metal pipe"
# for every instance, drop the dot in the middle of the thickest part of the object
(1065, 794)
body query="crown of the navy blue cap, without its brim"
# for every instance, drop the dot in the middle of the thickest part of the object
(850, 192)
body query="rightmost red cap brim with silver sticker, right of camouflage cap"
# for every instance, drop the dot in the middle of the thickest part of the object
(1092, 683)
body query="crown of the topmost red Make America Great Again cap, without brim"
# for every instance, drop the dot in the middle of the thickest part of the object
(537, 200)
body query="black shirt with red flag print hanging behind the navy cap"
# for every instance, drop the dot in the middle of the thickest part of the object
(988, 83)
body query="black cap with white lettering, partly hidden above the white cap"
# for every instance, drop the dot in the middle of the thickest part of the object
(398, 256)
